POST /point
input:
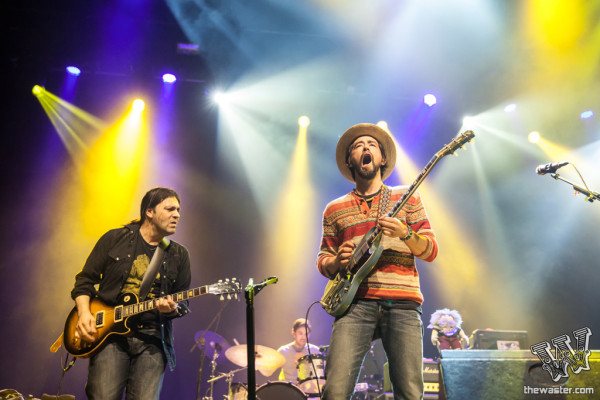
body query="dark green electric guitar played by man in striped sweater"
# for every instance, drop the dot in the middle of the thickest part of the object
(340, 290)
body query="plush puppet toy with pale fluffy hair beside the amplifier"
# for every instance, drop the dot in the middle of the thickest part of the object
(446, 331)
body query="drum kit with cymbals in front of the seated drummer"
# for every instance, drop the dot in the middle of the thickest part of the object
(311, 370)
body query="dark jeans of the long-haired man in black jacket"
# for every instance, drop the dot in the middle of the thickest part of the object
(126, 362)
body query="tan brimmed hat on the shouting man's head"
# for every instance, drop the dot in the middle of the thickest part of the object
(380, 134)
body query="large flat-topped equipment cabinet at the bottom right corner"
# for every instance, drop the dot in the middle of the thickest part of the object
(510, 374)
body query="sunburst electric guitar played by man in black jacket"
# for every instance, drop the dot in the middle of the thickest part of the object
(114, 320)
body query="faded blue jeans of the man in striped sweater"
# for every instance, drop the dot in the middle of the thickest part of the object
(401, 332)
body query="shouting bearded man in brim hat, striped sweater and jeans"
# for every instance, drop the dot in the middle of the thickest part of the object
(387, 304)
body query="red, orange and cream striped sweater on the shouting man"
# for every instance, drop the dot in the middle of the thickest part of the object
(395, 275)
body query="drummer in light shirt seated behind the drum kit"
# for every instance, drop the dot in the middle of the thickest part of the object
(295, 350)
